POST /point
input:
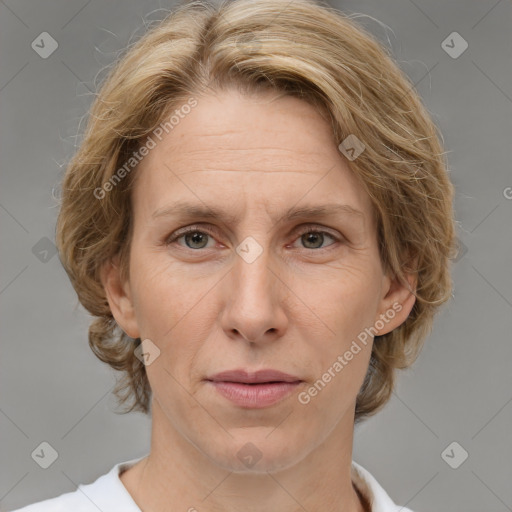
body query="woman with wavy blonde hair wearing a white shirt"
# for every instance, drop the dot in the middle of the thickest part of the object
(260, 219)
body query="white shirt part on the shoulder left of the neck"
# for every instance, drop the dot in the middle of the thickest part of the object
(107, 493)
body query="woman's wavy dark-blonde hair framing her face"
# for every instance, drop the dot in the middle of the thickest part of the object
(299, 48)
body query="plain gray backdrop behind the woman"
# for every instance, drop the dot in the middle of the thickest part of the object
(460, 389)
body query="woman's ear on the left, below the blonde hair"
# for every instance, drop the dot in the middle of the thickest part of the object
(119, 298)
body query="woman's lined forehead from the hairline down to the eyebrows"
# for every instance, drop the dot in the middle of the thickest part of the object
(230, 149)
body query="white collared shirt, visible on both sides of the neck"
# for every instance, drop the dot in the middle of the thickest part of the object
(108, 494)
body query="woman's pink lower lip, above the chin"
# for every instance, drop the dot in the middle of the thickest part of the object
(255, 396)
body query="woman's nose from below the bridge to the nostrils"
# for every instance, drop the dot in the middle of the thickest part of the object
(254, 301)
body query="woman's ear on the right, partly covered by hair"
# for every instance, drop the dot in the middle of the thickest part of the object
(396, 302)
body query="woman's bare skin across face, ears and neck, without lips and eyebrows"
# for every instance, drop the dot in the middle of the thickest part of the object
(296, 308)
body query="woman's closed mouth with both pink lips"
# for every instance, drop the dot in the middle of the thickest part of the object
(254, 390)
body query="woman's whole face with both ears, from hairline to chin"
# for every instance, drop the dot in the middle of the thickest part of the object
(254, 286)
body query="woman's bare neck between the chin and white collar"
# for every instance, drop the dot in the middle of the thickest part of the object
(177, 474)
